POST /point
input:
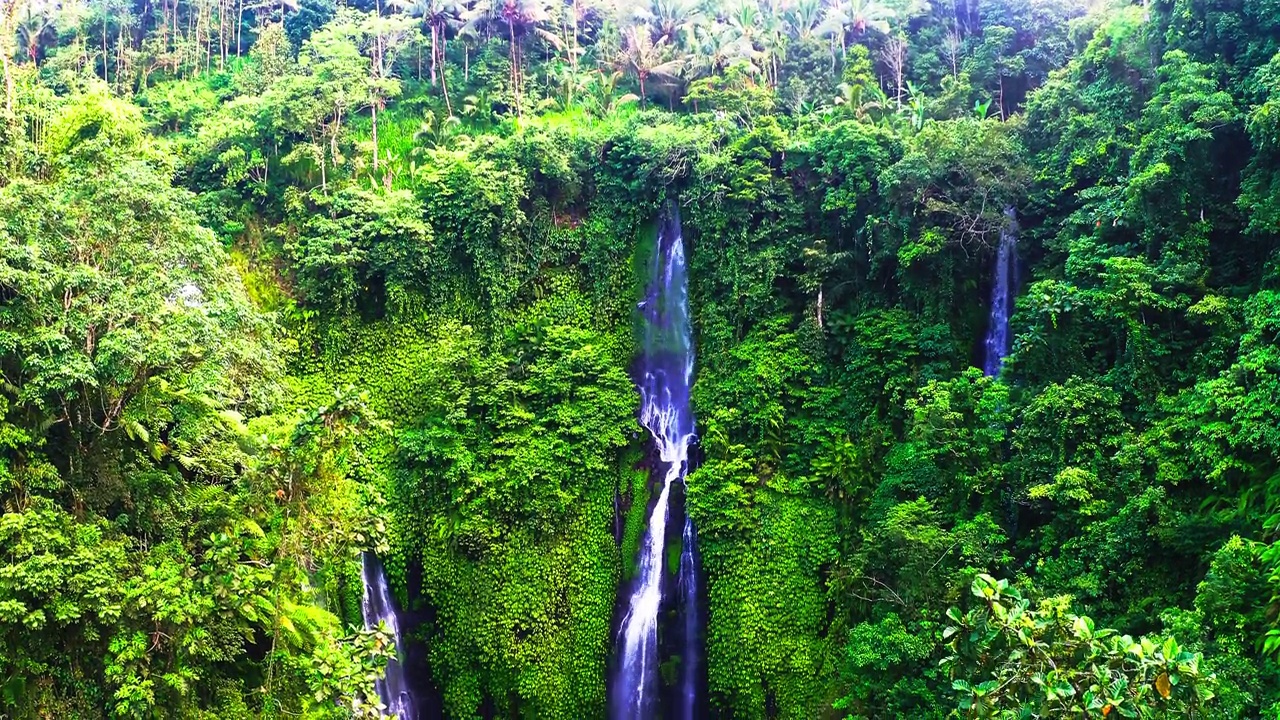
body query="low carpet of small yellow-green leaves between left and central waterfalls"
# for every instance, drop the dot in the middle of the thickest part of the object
(529, 619)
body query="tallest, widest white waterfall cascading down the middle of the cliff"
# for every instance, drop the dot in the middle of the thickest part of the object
(664, 376)
